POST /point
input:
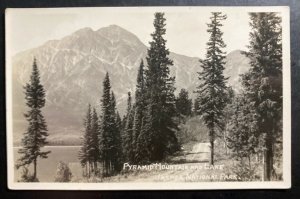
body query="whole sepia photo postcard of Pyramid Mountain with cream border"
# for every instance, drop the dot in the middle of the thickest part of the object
(148, 98)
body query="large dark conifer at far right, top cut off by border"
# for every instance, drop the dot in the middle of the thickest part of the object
(263, 82)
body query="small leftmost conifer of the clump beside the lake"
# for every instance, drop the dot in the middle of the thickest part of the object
(85, 150)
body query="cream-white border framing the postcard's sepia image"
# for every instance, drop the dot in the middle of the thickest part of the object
(285, 184)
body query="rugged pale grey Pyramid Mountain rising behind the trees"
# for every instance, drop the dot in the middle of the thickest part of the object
(72, 70)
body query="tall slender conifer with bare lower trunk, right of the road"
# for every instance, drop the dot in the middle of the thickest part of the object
(212, 88)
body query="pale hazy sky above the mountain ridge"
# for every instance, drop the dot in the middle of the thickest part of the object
(186, 26)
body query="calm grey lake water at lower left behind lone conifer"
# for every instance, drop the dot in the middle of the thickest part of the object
(46, 168)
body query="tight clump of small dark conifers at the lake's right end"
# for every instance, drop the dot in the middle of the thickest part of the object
(101, 147)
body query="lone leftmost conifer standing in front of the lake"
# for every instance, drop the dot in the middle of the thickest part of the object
(35, 136)
